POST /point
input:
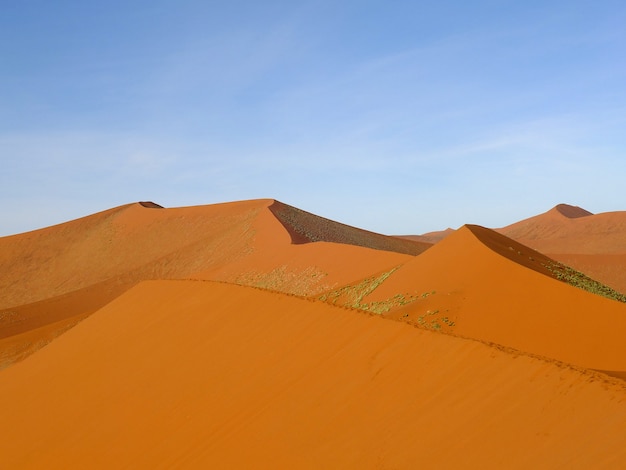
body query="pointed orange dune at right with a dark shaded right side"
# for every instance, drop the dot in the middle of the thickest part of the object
(479, 284)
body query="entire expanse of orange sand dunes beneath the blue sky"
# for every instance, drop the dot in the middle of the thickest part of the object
(253, 334)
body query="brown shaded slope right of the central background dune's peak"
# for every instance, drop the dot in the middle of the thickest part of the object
(305, 227)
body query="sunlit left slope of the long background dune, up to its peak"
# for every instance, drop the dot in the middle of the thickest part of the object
(147, 242)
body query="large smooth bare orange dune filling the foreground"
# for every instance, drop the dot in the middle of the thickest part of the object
(202, 375)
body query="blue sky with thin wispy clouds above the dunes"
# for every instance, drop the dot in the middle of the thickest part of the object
(397, 117)
